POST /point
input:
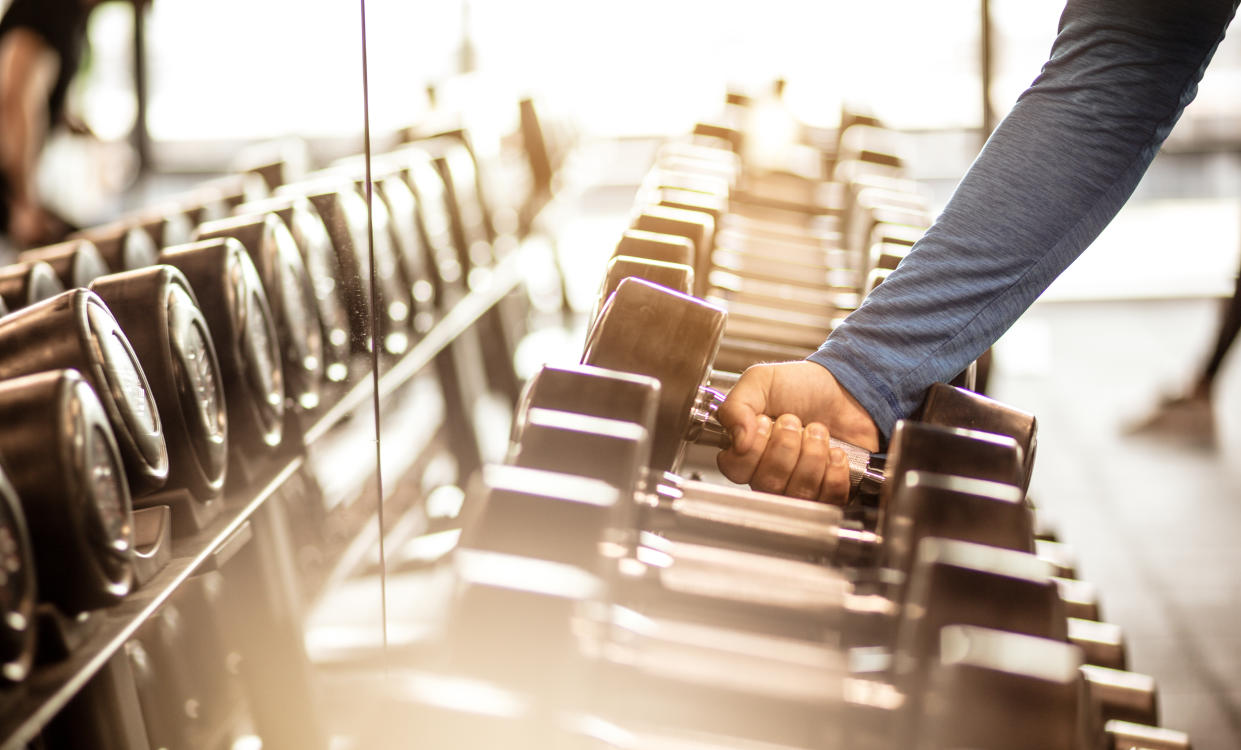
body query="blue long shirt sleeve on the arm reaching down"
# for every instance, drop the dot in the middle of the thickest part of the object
(1051, 178)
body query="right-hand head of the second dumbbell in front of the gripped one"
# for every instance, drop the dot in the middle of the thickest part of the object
(930, 505)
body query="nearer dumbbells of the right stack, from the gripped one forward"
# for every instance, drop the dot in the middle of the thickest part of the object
(591, 582)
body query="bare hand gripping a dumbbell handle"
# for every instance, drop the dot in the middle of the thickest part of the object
(791, 455)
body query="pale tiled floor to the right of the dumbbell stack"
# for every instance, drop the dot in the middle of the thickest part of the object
(1156, 523)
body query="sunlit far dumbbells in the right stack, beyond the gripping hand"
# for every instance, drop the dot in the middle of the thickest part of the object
(787, 271)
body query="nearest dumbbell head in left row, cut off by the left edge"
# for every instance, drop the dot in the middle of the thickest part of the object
(18, 593)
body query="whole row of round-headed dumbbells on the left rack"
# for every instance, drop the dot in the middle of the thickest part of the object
(151, 363)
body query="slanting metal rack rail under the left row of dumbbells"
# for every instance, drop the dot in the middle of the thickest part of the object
(28, 708)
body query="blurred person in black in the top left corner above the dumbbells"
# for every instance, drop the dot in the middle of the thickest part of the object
(42, 47)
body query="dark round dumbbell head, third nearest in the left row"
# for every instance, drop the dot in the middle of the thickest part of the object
(76, 330)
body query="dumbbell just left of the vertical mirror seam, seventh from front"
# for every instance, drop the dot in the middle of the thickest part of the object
(320, 259)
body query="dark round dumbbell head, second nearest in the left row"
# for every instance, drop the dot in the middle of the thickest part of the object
(64, 465)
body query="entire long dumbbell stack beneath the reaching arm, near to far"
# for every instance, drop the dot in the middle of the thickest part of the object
(606, 598)
